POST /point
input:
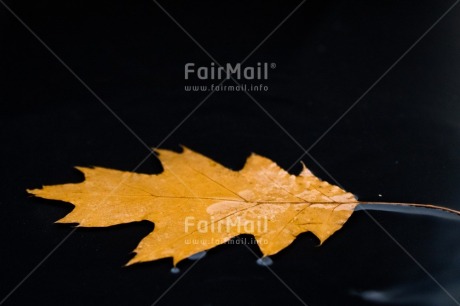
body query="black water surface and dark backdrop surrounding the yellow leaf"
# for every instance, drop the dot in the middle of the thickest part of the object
(400, 141)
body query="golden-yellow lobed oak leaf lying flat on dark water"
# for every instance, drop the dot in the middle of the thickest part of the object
(197, 204)
